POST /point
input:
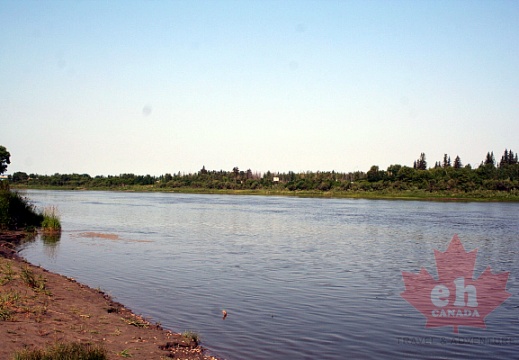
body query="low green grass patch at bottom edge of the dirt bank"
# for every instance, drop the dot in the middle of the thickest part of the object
(71, 351)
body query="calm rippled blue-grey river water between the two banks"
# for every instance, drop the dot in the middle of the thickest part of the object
(300, 278)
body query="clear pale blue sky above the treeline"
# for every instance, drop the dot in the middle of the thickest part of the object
(154, 87)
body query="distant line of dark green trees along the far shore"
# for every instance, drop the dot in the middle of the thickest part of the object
(445, 175)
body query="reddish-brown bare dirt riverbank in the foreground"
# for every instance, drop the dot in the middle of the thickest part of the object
(39, 308)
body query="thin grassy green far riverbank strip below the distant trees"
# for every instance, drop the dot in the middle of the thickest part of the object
(417, 194)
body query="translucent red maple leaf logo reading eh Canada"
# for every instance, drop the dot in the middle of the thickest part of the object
(455, 299)
